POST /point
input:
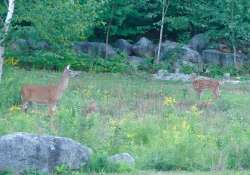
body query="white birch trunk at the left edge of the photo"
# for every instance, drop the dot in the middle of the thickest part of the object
(6, 25)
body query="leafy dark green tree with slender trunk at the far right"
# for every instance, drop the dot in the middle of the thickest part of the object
(230, 21)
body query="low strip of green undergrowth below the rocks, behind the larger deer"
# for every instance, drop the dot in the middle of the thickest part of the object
(57, 61)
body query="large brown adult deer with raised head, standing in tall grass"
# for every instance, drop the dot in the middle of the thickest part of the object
(48, 95)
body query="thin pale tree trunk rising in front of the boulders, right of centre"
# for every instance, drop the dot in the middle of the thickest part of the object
(165, 5)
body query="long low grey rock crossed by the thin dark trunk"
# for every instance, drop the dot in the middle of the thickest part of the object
(94, 49)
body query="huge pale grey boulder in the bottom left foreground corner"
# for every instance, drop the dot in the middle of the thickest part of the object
(23, 151)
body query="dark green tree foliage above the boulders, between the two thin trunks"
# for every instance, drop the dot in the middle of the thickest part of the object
(126, 19)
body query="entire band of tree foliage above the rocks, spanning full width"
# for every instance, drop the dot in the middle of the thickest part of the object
(60, 22)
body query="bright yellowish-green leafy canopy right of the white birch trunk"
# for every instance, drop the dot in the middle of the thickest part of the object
(58, 22)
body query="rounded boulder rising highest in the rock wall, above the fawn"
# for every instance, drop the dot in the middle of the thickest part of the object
(199, 42)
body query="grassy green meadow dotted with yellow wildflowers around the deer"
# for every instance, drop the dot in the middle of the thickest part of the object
(162, 124)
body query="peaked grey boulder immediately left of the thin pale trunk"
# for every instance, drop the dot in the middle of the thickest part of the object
(144, 48)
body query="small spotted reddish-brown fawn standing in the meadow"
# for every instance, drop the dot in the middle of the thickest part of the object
(200, 85)
